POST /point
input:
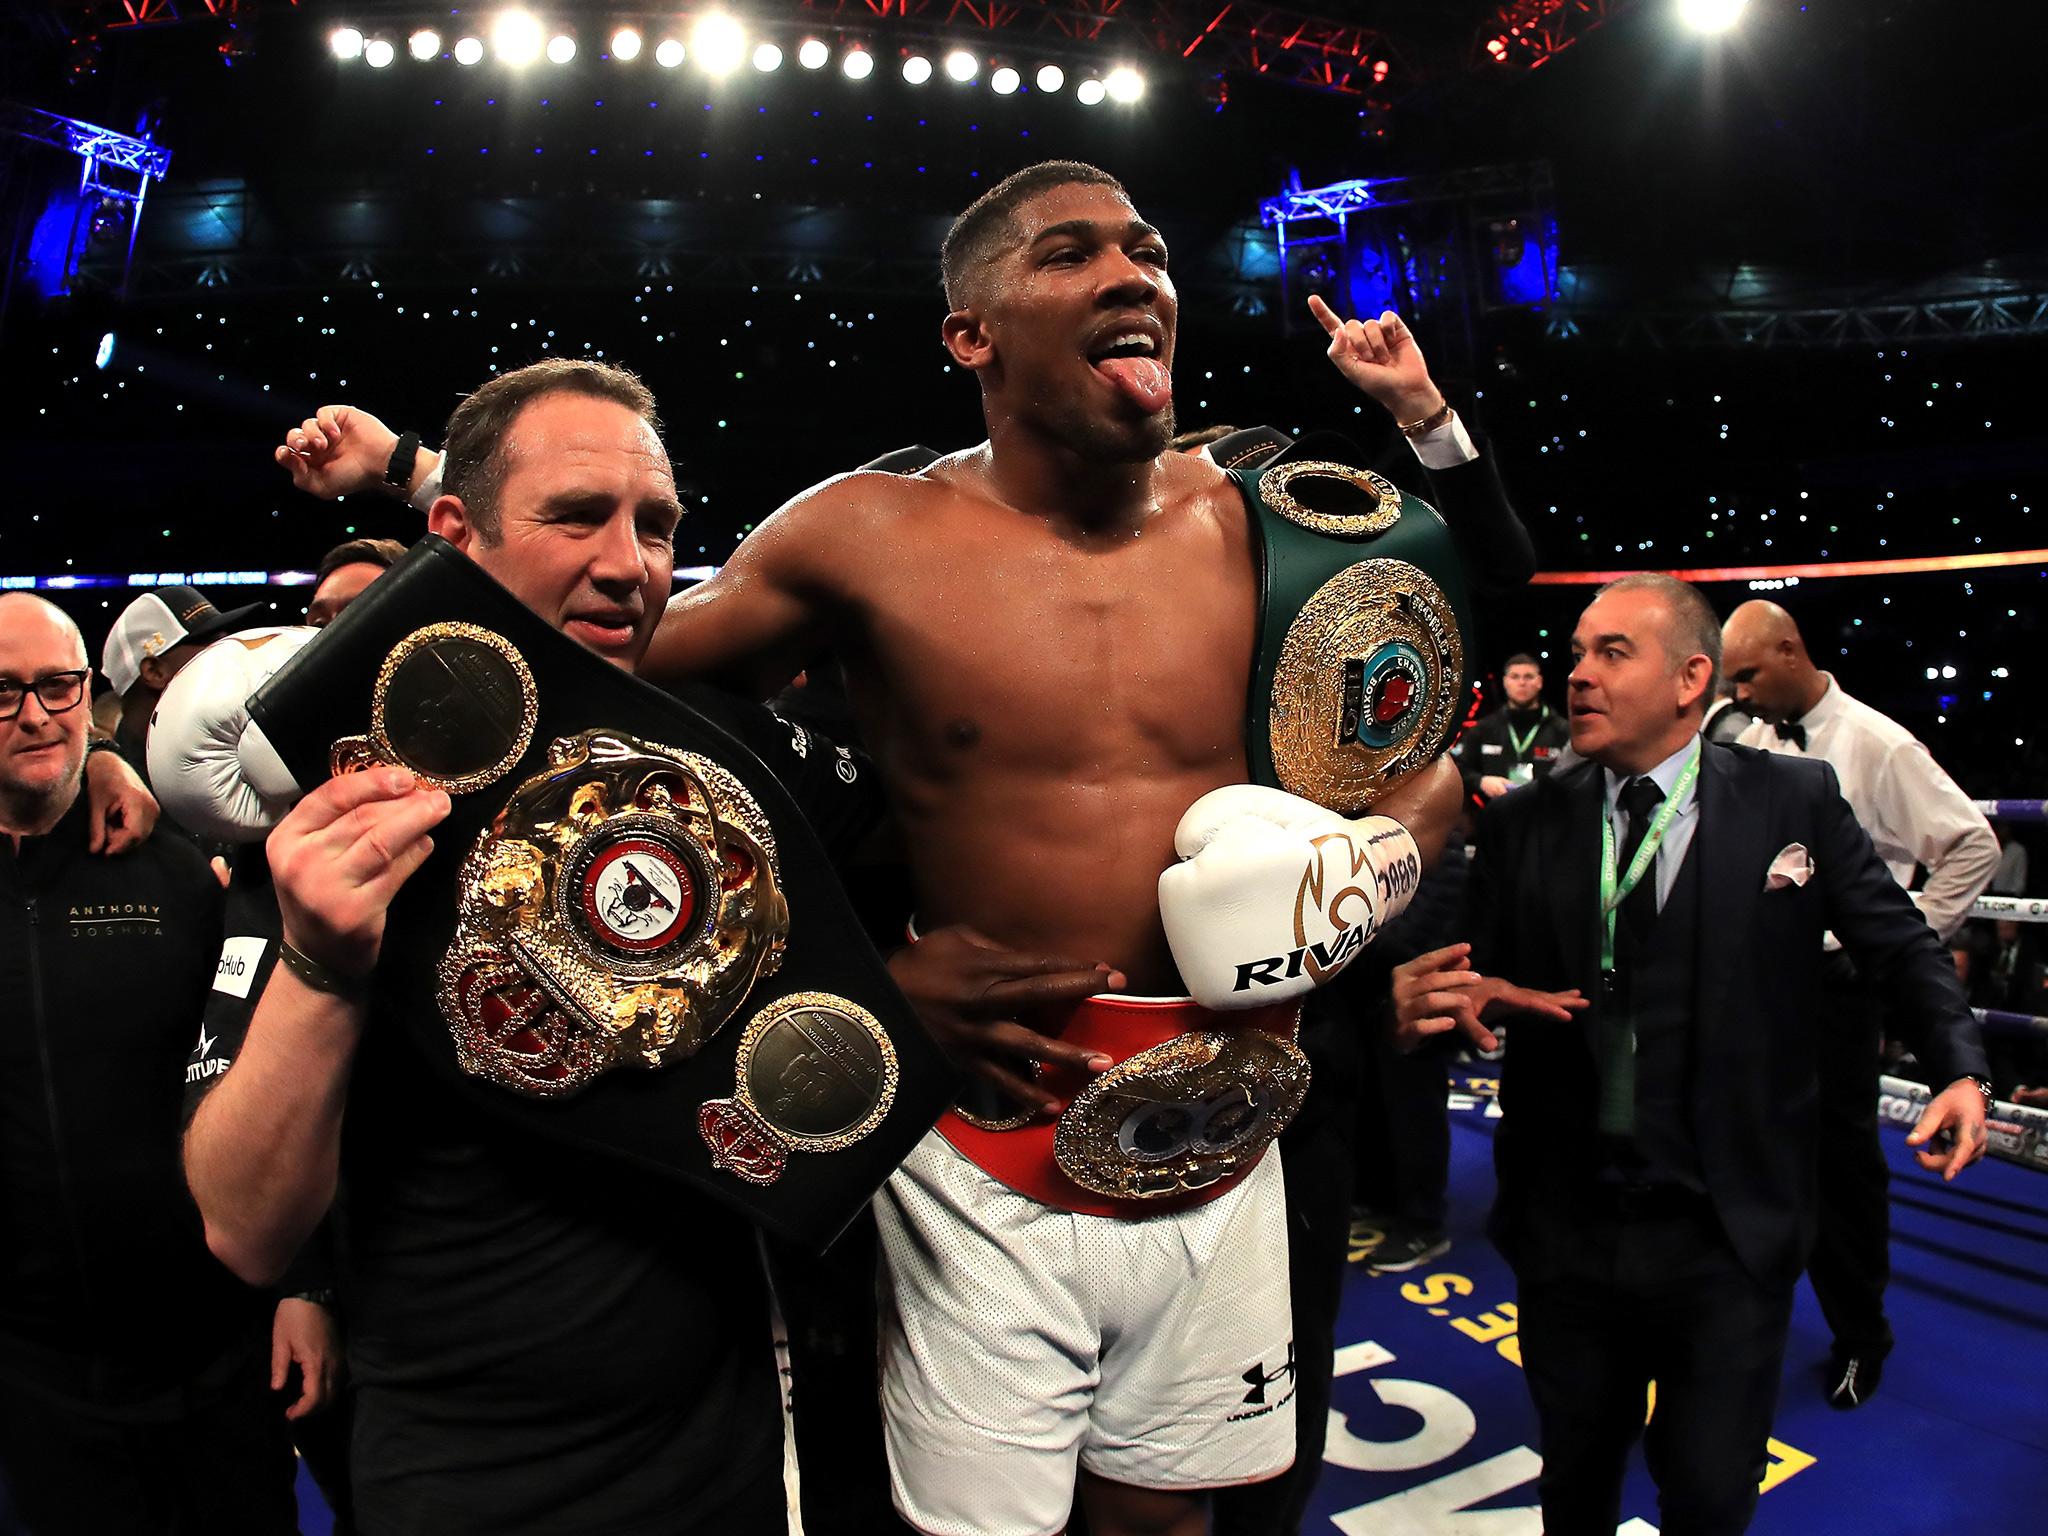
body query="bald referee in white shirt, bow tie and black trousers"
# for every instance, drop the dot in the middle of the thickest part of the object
(1916, 818)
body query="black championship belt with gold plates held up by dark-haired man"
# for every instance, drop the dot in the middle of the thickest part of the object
(628, 937)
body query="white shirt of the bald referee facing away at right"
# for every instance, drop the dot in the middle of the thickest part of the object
(1914, 812)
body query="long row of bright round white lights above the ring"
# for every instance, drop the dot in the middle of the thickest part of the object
(720, 48)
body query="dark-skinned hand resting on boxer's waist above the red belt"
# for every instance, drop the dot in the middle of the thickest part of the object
(970, 990)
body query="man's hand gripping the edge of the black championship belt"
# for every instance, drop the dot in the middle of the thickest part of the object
(343, 855)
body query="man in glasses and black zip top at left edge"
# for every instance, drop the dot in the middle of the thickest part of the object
(134, 1367)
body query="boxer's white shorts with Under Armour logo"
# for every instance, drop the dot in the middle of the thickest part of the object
(1023, 1342)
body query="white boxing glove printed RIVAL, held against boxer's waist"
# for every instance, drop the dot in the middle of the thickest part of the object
(1275, 896)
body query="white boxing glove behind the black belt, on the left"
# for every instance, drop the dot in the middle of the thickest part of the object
(210, 765)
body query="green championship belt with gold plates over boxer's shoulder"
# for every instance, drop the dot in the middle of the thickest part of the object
(1359, 673)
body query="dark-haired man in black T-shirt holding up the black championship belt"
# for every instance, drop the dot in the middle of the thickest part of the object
(538, 1342)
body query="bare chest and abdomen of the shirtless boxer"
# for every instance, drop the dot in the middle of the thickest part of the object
(1048, 708)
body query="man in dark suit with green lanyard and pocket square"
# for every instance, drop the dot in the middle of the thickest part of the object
(1658, 1146)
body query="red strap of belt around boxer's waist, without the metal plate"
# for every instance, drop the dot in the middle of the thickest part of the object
(1119, 1029)
